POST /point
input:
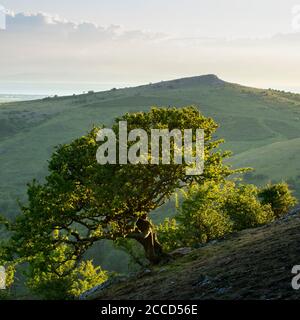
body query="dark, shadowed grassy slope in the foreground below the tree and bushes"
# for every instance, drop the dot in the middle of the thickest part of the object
(252, 264)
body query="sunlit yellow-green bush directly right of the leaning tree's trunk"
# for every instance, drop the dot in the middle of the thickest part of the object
(198, 220)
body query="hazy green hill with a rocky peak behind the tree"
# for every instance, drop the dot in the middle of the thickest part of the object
(261, 127)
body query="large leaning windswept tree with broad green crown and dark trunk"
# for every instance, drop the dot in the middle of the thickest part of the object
(82, 202)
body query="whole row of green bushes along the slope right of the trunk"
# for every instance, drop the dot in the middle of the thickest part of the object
(213, 210)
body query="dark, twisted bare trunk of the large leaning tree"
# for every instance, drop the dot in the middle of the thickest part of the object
(145, 235)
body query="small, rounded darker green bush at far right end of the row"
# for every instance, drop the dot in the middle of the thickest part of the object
(279, 196)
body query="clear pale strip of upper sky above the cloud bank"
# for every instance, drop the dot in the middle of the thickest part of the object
(217, 18)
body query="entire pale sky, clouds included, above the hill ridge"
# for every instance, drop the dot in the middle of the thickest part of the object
(47, 48)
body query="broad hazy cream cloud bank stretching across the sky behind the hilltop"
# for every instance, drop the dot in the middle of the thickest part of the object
(42, 47)
